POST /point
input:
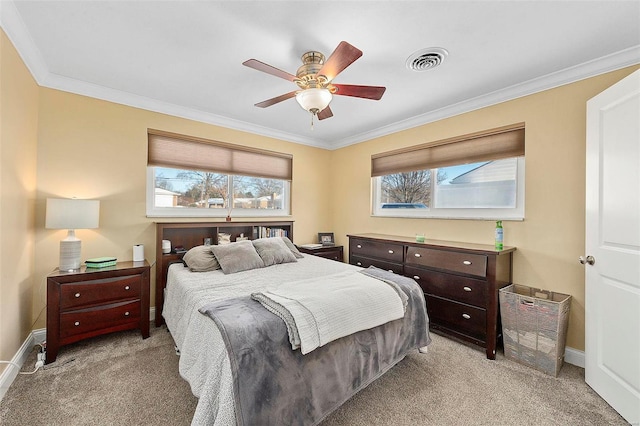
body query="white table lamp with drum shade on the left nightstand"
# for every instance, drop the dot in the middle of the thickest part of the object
(71, 214)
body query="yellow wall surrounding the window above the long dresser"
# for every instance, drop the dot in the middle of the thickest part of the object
(551, 237)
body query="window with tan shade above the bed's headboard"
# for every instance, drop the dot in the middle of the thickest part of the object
(191, 177)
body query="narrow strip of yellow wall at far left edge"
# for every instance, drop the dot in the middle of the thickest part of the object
(18, 140)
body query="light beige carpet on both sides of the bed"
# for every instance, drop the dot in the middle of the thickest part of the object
(122, 379)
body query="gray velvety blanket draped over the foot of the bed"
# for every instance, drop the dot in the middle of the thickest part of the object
(274, 385)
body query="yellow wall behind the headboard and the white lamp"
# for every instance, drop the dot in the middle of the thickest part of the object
(94, 149)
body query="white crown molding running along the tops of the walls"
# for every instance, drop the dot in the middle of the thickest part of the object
(16, 31)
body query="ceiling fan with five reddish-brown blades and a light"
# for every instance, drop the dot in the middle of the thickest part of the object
(315, 81)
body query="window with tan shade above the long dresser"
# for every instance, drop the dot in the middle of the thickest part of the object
(479, 176)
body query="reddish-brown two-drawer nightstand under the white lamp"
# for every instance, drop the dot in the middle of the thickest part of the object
(91, 302)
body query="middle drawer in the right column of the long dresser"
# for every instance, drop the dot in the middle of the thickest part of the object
(461, 289)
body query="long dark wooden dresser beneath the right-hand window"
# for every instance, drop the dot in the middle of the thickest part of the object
(460, 281)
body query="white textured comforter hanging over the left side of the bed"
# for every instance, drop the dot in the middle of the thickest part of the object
(204, 362)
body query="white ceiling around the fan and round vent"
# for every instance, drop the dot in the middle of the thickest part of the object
(185, 57)
